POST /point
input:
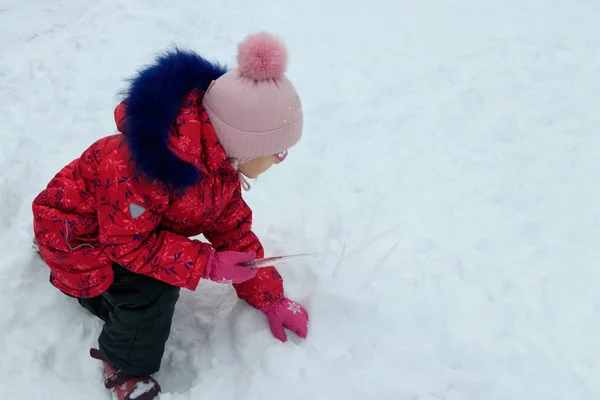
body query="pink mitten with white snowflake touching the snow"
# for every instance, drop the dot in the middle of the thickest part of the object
(285, 313)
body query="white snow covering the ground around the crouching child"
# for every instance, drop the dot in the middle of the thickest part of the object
(450, 160)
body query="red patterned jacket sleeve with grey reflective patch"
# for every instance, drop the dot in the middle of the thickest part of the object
(129, 215)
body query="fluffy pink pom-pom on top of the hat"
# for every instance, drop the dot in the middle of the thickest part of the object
(262, 56)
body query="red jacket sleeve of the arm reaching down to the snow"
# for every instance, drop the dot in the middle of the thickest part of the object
(233, 231)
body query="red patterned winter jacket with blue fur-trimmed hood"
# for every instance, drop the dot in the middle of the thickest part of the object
(136, 198)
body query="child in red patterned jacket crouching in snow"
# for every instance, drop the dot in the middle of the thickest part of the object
(114, 225)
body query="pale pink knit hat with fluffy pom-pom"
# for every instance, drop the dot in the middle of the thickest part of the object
(254, 108)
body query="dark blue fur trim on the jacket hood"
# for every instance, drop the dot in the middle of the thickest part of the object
(153, 99)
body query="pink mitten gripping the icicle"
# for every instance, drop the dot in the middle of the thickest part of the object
(222, 267)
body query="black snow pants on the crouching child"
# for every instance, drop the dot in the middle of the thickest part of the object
(137, 311)
